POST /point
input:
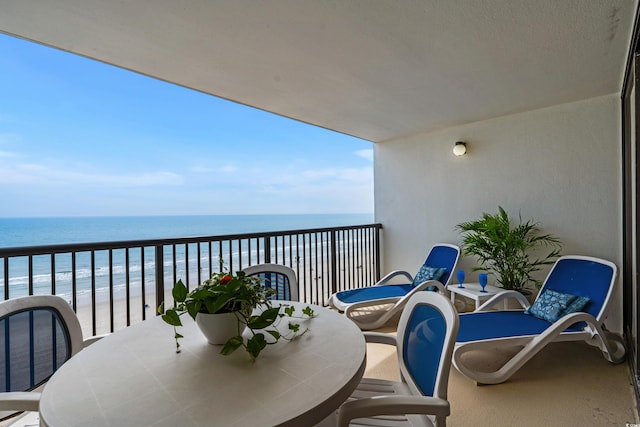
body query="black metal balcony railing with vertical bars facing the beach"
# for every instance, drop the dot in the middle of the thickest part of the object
(114, 284)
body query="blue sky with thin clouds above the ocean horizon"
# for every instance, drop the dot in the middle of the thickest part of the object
(82, 138)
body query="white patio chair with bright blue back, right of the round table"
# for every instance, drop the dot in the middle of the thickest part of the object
(426, 335)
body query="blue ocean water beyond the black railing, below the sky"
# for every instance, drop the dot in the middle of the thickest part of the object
(17, 232)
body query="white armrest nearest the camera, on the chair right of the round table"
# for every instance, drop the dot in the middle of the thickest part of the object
(392, 405)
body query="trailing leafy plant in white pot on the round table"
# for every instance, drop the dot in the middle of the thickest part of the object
(225, 305)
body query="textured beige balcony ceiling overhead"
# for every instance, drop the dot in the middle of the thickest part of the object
(374, 69)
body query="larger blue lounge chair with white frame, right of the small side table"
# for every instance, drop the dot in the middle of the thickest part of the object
(571, 306)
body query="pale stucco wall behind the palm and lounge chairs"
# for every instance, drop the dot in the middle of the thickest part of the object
(559, 166)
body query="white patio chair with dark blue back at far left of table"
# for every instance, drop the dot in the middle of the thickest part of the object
(38, 334)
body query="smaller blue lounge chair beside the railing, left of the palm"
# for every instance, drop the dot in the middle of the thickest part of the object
(373, 306)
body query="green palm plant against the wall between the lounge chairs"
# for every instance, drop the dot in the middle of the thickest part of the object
(507, 249)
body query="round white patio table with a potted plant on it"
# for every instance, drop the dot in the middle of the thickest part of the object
(134, 377)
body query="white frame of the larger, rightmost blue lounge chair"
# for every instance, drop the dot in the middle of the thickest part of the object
(594, 333)
